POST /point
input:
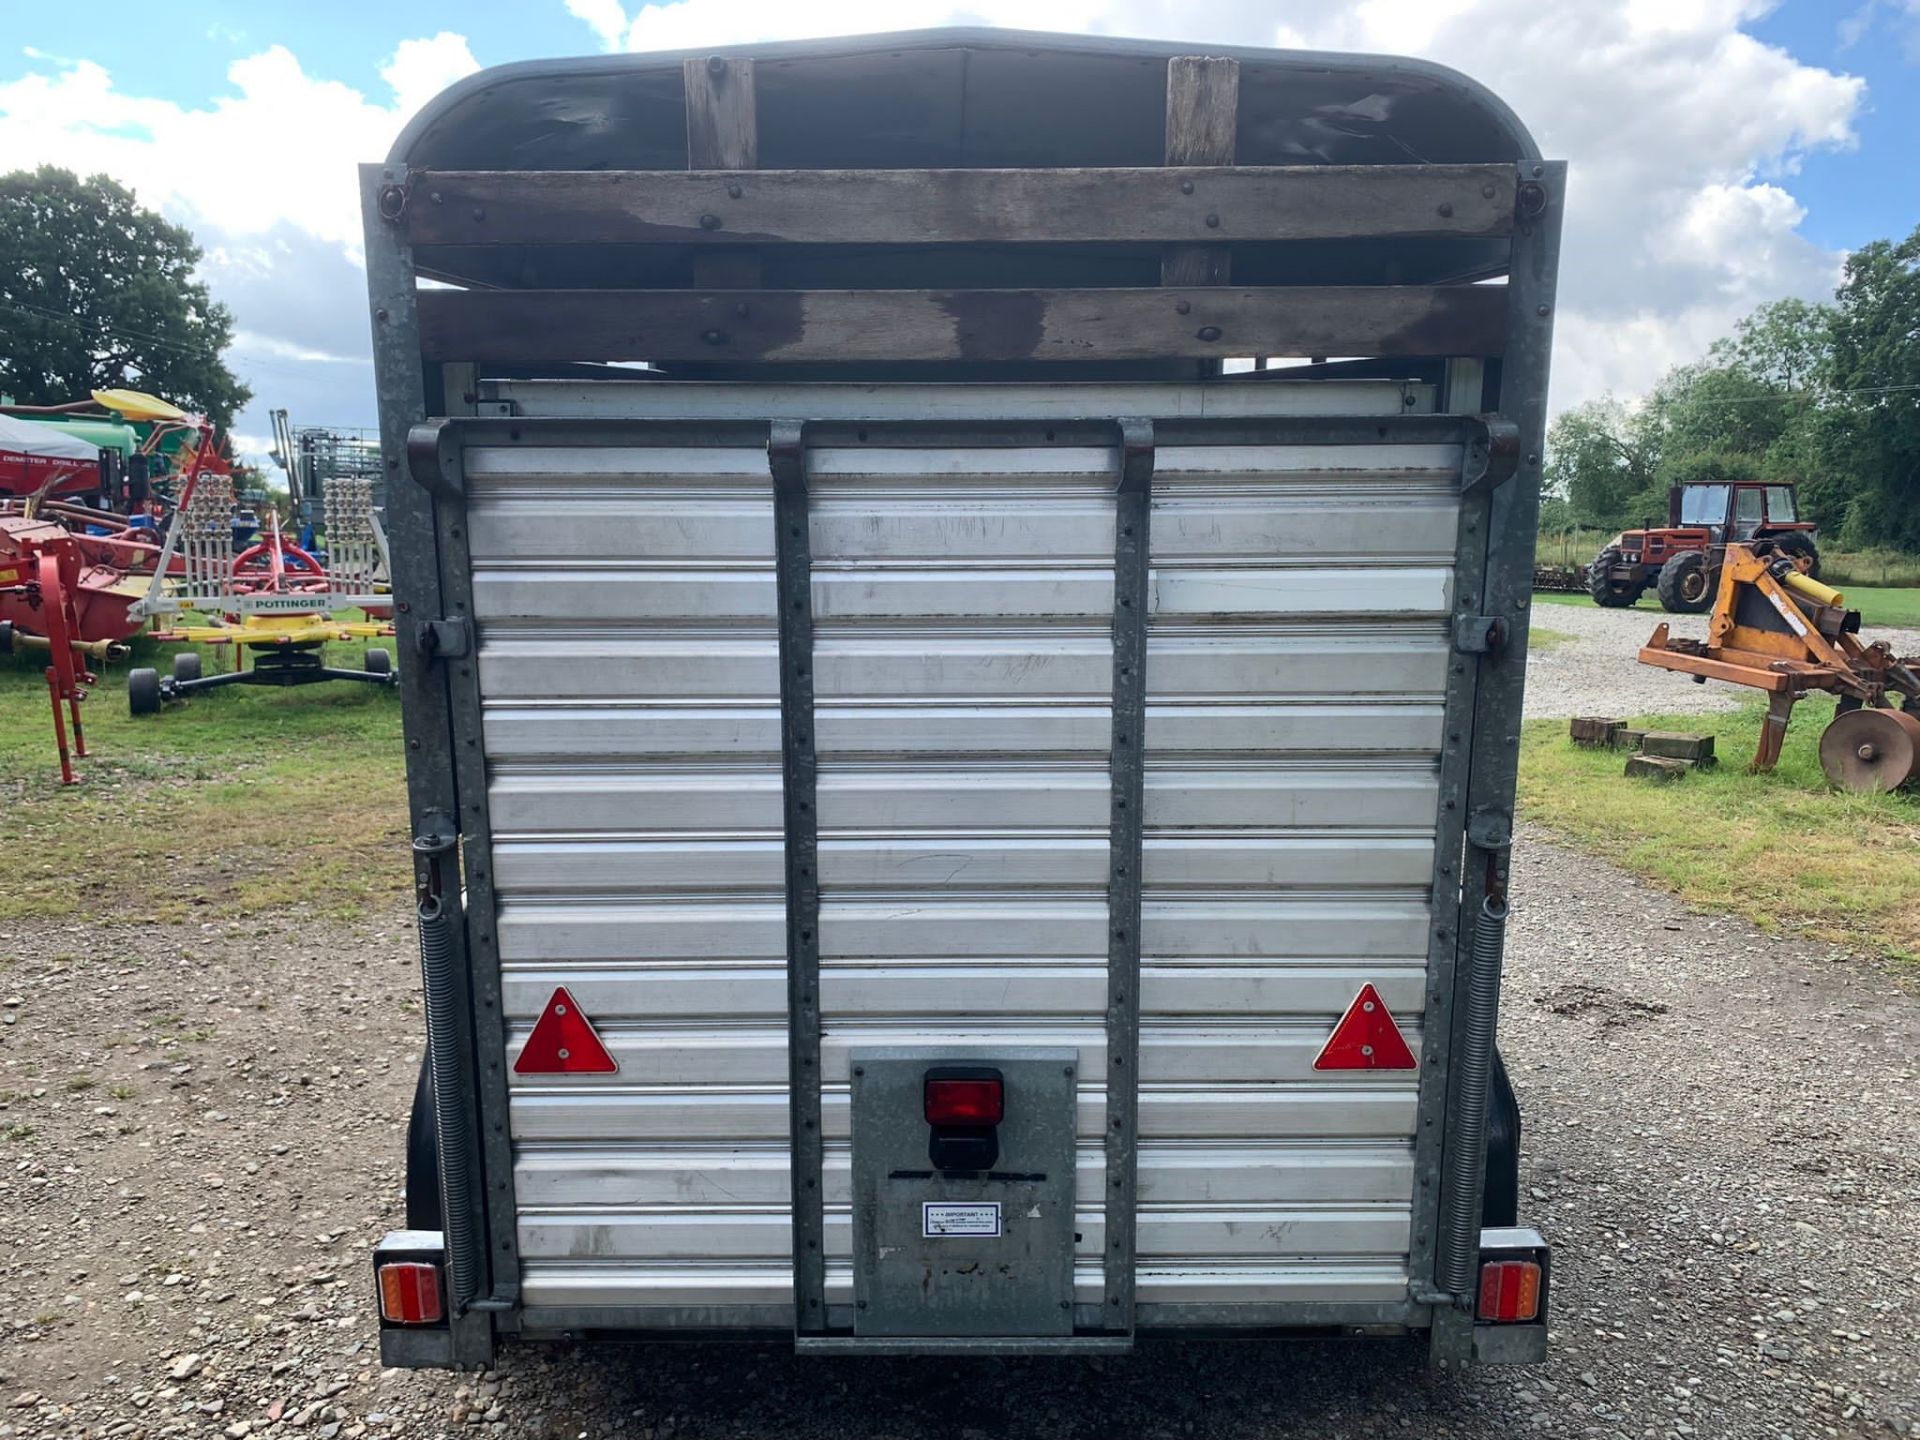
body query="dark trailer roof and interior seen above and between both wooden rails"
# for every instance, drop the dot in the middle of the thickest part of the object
(965, 99)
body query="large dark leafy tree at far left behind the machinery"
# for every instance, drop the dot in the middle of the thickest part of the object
(99, 293)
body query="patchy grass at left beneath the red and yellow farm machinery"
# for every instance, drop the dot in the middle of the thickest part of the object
(231, 804)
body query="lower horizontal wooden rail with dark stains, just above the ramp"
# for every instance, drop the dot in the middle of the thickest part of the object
(959, 325)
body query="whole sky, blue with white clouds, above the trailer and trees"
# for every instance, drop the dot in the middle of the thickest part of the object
(1723, 153)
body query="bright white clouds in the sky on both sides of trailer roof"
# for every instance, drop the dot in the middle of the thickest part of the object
(1685, 135)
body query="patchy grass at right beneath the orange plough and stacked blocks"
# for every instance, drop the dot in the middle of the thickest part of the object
(1785, 852)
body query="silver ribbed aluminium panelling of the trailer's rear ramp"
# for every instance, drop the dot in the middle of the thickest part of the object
(1297, 658)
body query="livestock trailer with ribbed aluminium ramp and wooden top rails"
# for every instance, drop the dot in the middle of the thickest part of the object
(965, 602)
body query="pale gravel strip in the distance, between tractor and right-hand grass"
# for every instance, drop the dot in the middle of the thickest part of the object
(1600, 673)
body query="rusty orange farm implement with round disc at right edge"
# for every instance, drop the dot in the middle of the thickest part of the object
(1787, 635)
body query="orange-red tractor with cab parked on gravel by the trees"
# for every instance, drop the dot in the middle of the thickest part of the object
(1683, 562)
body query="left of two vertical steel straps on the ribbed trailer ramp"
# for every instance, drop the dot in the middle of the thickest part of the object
(786, 458)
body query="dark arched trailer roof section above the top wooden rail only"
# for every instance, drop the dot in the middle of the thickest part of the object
(963, 99)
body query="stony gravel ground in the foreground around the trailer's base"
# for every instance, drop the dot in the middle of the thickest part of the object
(201, 1140)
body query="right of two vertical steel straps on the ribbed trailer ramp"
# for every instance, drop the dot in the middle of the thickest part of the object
(1134, 510)
